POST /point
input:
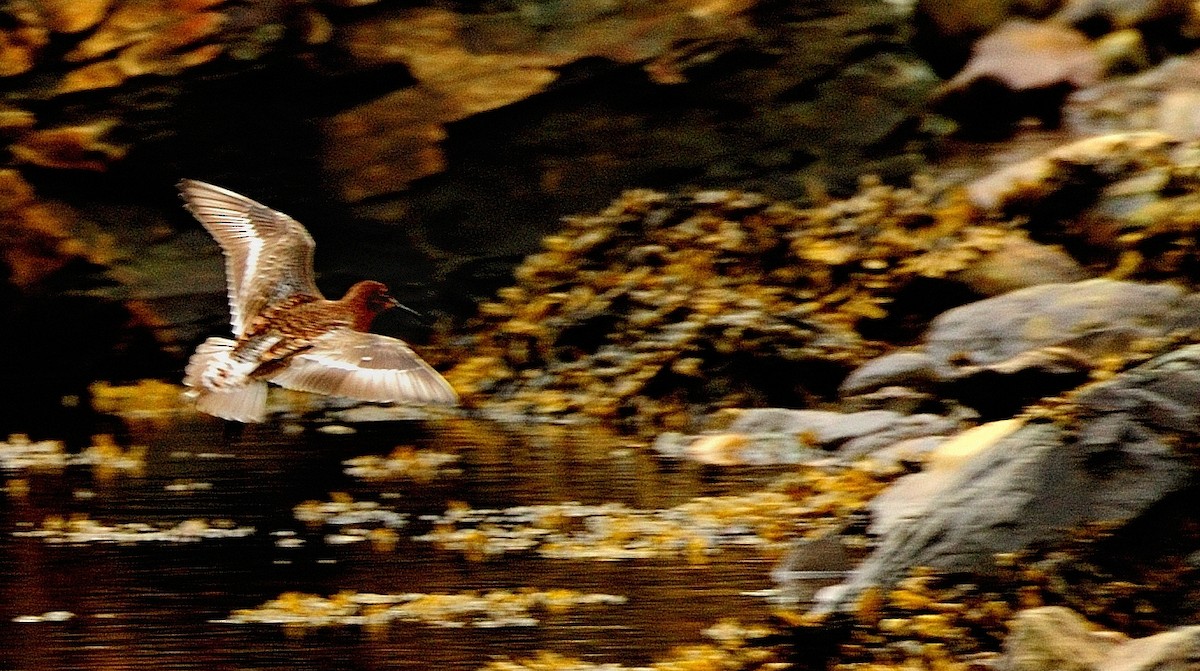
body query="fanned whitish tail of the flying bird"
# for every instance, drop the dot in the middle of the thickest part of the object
(221, 386)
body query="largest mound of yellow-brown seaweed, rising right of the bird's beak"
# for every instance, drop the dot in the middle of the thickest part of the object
(663, 308)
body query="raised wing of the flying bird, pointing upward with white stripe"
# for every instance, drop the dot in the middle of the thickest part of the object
(268, 254)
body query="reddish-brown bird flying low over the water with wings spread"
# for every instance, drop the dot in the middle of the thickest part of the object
(285, 332)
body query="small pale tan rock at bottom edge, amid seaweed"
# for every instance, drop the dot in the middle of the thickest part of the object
(1055, 639)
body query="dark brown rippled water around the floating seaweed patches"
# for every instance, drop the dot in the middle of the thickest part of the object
(155, 604)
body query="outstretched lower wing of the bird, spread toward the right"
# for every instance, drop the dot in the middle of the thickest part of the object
(365, 367)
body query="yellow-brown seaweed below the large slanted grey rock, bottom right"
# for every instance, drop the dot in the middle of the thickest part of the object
(938, 622)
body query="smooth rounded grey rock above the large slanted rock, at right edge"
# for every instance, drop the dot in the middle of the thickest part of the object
(1001, 354)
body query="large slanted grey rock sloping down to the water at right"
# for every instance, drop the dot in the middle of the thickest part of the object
(1034, 484)
